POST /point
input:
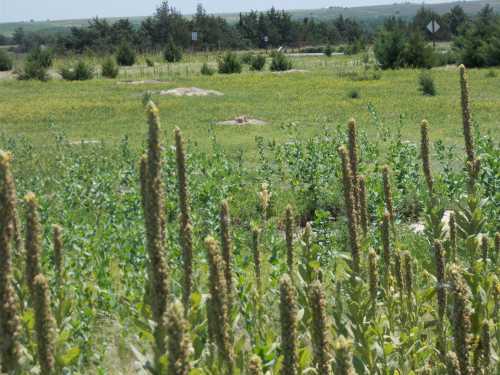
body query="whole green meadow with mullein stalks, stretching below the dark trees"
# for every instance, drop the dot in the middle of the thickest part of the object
(310, 245)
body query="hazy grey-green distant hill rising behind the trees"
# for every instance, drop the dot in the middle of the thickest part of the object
(366, 13)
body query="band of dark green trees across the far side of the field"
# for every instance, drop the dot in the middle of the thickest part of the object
(397, 42)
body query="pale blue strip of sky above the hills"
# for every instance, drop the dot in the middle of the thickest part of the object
(24, 10)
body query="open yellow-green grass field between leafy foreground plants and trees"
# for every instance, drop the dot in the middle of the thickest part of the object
(312, 100)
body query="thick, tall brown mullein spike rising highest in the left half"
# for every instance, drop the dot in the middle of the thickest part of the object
(153, 196)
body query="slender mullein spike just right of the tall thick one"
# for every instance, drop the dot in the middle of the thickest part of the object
(186, 229)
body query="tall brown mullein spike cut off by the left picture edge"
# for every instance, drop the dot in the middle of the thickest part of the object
(10, 349)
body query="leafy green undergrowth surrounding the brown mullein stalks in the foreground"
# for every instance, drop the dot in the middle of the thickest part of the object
(101, 305)
